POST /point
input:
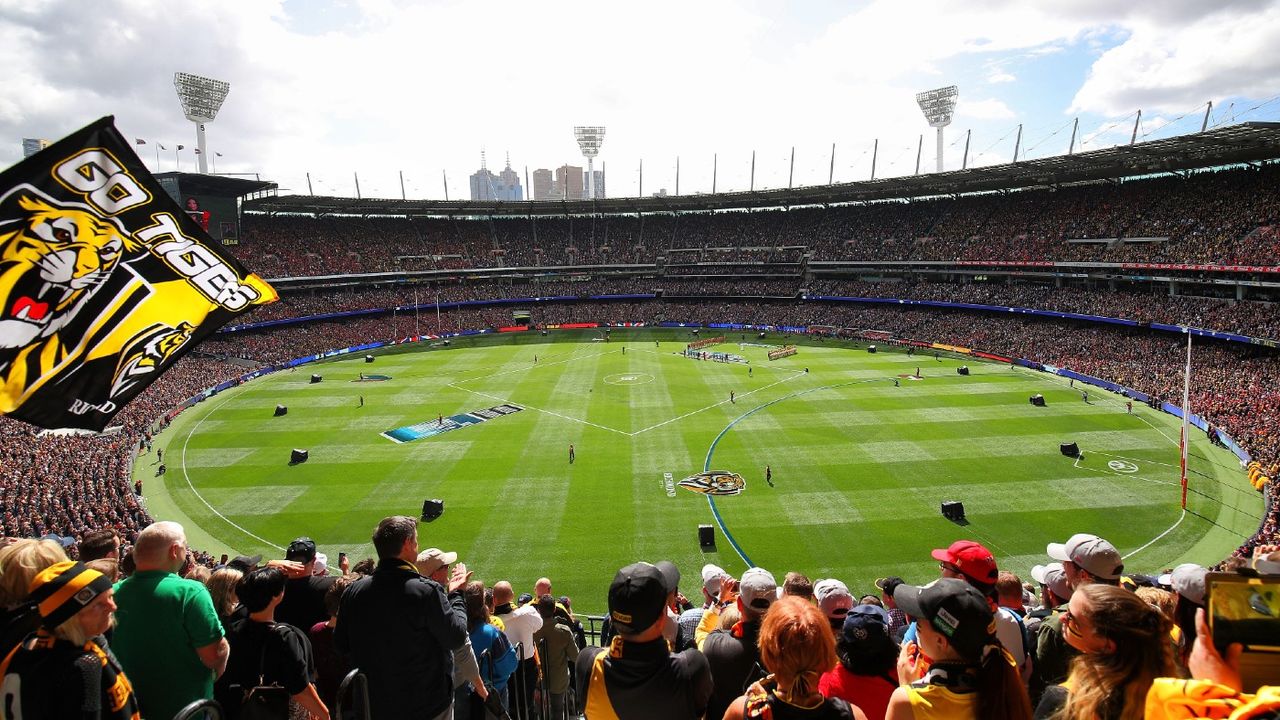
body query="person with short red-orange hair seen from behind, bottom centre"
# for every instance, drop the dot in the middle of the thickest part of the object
(797, 648)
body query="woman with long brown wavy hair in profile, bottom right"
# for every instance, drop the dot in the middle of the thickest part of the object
(1124, 646)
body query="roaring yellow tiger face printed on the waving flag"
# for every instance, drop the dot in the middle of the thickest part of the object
(51, 266)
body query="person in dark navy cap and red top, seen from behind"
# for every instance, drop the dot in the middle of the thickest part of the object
(867, 673)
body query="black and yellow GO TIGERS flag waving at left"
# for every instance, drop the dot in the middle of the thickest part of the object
(104, 282)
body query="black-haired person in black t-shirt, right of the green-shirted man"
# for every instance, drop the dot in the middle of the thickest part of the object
(266, 653)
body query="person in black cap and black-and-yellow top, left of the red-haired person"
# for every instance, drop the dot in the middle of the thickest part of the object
(638, 677)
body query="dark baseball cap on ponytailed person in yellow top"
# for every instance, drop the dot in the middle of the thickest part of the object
(953, 608)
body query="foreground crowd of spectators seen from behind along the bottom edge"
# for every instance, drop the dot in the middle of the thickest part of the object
(144, 631)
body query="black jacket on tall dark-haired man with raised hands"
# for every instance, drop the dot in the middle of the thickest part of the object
(401, 630)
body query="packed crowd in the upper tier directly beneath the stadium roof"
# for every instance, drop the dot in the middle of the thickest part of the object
(1227, 218)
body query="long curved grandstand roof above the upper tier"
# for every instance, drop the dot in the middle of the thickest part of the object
(1247, 143)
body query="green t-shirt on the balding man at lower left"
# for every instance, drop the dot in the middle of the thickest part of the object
(161, 622)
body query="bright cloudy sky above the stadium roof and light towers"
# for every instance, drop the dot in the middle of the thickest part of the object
(377, 88)
